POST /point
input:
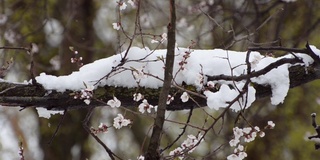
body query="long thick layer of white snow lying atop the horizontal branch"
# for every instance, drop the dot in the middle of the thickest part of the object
(145, 67)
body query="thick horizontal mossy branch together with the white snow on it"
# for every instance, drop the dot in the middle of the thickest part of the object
(207, 75)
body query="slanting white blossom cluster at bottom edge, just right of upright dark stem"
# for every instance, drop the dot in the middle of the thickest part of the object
(188, 146)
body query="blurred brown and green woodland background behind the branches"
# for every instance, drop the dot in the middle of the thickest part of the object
(55, 26)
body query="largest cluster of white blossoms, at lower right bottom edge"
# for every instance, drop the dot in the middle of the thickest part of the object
(248, 134)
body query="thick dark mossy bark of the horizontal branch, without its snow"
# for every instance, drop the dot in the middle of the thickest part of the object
(12, 94)
